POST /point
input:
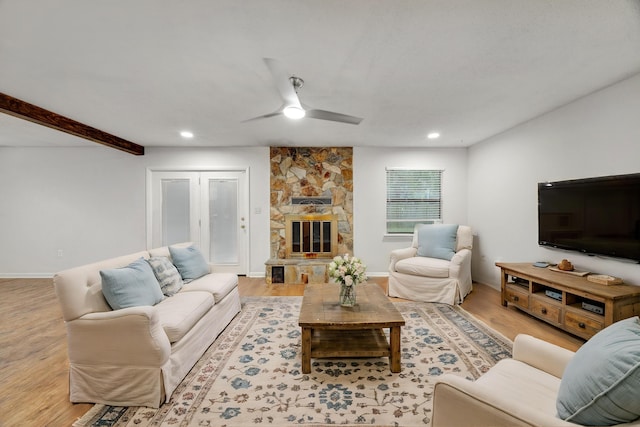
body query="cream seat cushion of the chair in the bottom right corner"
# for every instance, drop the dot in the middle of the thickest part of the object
(524, 384)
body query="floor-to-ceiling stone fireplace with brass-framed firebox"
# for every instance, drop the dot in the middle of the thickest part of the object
(311, 212)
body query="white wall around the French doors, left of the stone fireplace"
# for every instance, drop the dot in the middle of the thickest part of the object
(89, 203)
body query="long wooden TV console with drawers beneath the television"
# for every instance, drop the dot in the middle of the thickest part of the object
(529, 288)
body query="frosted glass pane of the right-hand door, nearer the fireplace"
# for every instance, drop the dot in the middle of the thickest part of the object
(223, 221)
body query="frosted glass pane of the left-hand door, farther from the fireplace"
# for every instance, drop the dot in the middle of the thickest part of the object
(175, 211)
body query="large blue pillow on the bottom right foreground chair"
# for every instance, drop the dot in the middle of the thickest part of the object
(601, 384)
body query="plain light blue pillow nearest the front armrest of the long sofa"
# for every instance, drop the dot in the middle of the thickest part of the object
(131, 286)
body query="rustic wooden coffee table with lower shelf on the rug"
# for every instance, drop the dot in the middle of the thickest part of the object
(330, 330)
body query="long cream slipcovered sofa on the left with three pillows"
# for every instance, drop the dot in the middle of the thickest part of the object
(136, 356)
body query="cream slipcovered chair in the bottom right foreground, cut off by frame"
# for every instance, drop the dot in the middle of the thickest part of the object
(521, 391)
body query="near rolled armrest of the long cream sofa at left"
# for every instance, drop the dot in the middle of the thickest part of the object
(130, 336)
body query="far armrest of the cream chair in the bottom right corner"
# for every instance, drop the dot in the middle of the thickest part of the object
(542, 355)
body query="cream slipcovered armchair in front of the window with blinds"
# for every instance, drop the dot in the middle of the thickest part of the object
(427, 279)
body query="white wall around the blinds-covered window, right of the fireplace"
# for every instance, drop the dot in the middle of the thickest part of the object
(370, 195)
